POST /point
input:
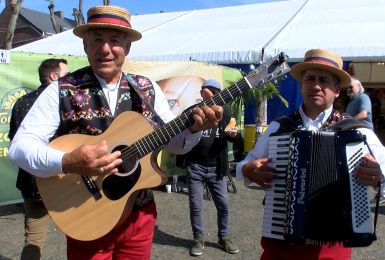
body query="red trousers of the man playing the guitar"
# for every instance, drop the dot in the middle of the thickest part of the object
(131, 240)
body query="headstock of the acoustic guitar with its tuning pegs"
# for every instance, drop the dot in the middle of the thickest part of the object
(268, 71)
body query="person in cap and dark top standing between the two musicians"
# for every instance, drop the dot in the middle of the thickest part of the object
(207, 163)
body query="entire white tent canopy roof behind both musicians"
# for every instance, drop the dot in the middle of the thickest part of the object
(249, 33)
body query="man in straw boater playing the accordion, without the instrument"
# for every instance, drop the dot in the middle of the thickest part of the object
(321, 77)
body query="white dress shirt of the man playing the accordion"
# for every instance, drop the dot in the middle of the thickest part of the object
(260, 149)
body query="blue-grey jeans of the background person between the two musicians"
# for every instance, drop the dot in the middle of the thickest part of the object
(196, 175)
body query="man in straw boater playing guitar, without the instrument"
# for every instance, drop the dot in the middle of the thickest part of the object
(87, 101)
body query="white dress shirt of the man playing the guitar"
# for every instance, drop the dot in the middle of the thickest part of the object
(29, 150)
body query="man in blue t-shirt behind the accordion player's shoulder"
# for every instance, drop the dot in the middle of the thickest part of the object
(360, 106)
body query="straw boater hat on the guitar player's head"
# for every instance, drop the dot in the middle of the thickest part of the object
(111, 17)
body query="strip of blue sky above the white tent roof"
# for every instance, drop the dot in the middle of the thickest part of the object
(135, 6)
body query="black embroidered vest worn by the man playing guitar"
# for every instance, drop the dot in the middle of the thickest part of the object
(84, 108)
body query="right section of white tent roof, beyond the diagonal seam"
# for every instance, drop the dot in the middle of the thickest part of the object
(354, 29)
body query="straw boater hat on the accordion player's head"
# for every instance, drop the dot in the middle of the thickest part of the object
(324, 60)
